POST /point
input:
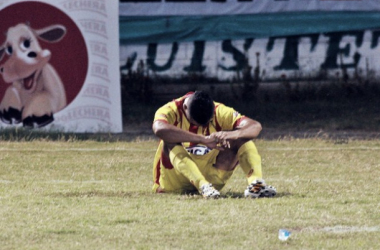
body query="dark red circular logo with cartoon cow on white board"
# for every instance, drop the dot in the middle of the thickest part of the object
(42, 49)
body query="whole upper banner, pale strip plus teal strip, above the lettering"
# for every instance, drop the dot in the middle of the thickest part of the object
(159, 21)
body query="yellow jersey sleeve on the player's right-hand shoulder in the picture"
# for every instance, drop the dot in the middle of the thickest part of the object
(227, 117)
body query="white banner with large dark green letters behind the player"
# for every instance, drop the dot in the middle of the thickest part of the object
(304, 57)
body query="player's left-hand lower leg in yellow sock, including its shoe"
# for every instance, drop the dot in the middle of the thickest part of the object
(183, 163)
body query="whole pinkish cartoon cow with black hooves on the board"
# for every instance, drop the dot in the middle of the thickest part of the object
(35, 90)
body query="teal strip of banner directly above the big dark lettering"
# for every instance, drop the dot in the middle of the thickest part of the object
(168, 29)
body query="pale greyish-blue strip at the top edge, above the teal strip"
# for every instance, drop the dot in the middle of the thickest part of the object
(239, 7)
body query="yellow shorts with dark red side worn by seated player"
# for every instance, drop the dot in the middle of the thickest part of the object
(168, 179)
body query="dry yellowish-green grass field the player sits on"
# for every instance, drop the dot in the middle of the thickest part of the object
(81, 194)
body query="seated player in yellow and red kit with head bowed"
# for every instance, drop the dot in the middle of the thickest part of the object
(202, 143)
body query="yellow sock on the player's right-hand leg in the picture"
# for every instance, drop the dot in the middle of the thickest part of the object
(250, 161)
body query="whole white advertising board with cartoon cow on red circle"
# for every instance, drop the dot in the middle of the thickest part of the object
(59, 68)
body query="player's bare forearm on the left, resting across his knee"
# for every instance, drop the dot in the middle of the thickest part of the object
(172, 134)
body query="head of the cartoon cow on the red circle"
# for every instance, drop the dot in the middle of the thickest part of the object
(26, 57)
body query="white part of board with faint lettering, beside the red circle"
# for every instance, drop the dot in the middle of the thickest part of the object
(97, 102)
